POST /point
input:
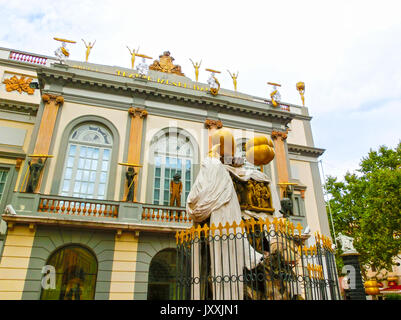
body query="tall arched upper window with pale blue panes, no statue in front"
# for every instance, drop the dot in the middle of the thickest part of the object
(87, 162)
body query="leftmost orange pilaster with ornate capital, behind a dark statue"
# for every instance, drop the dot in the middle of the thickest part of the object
(52, 105)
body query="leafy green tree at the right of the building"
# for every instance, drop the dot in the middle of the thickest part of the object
(366, 205)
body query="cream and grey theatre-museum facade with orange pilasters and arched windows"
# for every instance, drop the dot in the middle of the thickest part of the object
(68, 133)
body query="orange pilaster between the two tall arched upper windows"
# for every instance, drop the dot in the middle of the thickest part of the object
(135, 142)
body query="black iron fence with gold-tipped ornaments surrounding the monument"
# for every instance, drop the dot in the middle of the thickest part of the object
(254, 260)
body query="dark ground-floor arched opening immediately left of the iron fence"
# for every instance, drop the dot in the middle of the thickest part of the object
(162, 276)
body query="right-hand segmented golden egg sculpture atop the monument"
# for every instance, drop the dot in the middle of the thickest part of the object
(259, 150)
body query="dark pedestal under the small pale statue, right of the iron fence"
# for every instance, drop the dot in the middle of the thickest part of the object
(356, 292)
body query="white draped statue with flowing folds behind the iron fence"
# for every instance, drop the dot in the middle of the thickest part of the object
(213, 195)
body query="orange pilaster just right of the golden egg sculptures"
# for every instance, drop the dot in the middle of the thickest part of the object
(279, 138)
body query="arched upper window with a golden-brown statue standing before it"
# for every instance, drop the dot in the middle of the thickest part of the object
(173, 152)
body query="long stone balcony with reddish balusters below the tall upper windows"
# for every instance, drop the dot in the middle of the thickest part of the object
(79, 210)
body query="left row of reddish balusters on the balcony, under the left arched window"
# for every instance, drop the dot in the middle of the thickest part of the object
(78, 207)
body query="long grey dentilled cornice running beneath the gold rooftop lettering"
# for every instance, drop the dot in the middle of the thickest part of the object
(113, 84)
